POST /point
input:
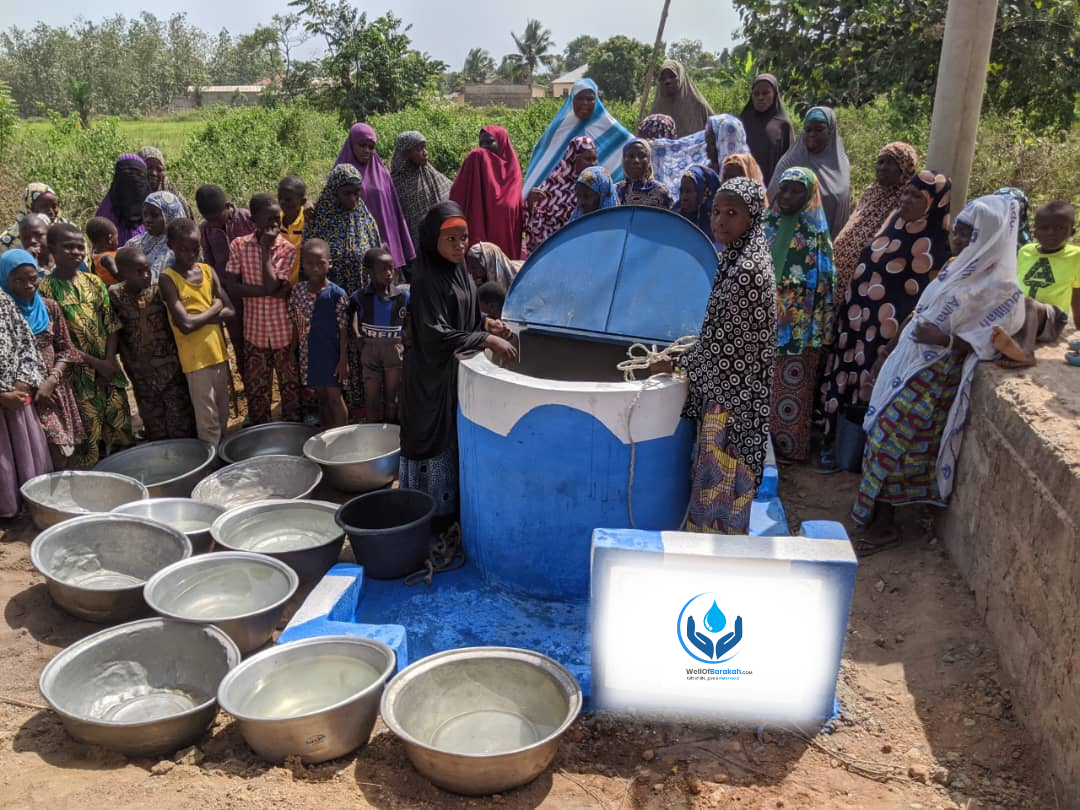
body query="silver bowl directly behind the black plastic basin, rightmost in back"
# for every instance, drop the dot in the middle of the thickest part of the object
(357, 458)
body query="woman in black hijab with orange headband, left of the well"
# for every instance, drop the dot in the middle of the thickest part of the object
(444, 321)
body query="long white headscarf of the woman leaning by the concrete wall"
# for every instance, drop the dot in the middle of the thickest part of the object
(975, 293)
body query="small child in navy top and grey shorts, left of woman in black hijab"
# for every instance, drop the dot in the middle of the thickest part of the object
(380, 313)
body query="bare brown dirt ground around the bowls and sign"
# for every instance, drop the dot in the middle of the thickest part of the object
(928, 722)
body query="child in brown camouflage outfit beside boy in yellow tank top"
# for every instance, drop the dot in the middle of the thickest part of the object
(148, 350)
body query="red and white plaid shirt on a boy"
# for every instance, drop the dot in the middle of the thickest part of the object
(266, 319)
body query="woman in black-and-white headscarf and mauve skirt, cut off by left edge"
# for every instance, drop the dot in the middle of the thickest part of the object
(24, 452)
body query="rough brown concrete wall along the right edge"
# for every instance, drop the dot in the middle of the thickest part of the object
(1012, 530)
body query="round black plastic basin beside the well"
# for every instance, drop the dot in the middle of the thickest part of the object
(389, 531)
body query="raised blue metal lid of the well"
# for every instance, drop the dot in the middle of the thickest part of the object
(629, 273)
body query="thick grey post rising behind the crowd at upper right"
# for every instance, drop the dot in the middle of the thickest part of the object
(962, 82)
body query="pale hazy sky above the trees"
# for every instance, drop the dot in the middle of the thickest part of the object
(447, 31)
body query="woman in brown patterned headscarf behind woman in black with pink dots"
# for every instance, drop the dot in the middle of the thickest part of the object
(895, 169)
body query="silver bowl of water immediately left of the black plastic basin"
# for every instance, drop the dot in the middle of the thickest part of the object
(303, 535)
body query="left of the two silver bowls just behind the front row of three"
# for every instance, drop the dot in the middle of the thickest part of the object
(96, 566)
